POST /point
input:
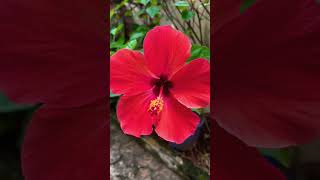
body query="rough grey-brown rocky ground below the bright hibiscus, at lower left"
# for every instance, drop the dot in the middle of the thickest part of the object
(130, 161)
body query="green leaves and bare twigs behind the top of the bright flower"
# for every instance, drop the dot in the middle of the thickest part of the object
(130, 20)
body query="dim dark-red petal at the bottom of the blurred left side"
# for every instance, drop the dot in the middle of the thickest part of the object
(66, 144)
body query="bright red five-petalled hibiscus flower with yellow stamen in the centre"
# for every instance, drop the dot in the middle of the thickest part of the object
(158, 86)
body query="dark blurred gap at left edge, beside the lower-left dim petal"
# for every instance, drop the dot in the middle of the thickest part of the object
(14, 118)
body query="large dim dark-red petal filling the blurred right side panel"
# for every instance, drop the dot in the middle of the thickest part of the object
(267, 74)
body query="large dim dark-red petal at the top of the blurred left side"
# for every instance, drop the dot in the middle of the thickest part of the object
(44, 62)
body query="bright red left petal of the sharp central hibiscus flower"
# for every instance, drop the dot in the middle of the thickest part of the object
(128, 73)
